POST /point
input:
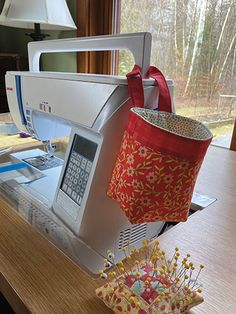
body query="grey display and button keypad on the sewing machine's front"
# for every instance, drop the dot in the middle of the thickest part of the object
(78, 168)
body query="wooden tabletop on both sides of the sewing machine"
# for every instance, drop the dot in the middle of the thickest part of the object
(37, 277)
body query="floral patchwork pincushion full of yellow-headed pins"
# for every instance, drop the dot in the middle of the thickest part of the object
(155, 285)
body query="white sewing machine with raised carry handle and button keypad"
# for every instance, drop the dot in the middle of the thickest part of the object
(93, 109)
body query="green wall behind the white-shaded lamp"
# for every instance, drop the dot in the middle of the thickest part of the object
(13, 40)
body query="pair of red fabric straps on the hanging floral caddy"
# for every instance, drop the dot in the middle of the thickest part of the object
(135, 88)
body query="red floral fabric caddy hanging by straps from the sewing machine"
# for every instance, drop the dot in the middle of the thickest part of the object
(159, 159)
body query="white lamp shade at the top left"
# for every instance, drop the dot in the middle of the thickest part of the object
(51, 14)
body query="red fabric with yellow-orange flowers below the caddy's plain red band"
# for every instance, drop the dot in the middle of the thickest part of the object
(150, 185)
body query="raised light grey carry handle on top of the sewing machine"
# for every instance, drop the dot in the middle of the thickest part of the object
(138, 43)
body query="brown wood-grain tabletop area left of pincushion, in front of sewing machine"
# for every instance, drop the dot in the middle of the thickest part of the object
(44, 279)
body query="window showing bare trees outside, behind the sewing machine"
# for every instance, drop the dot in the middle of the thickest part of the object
(194, 43)
